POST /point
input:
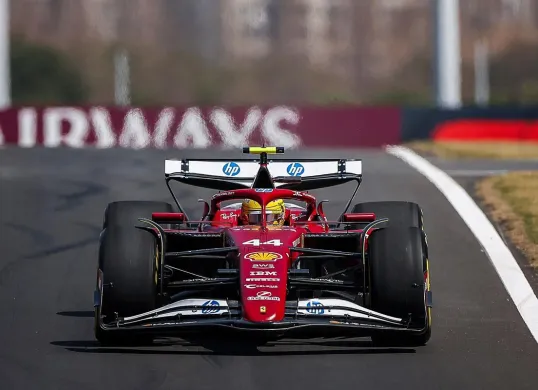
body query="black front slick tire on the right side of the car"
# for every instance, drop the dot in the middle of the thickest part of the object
(399, 281)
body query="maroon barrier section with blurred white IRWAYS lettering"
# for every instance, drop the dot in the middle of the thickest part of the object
(194, 127)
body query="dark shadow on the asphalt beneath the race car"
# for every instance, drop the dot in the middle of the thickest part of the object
(227, 348)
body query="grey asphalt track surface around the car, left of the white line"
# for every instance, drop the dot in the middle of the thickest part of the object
(51, 205)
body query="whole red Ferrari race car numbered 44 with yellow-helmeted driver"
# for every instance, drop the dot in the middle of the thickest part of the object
(263, 259)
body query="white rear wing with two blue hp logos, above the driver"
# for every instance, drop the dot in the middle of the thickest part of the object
(298, 174)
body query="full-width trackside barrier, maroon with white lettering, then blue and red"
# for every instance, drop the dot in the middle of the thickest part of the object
(288, 126)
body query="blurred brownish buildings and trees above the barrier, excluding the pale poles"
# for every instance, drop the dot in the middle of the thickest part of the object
(235, 52)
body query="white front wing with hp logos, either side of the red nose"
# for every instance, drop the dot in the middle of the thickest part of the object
(303, 317)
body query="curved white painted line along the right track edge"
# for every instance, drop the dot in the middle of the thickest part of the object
(501, 257)
